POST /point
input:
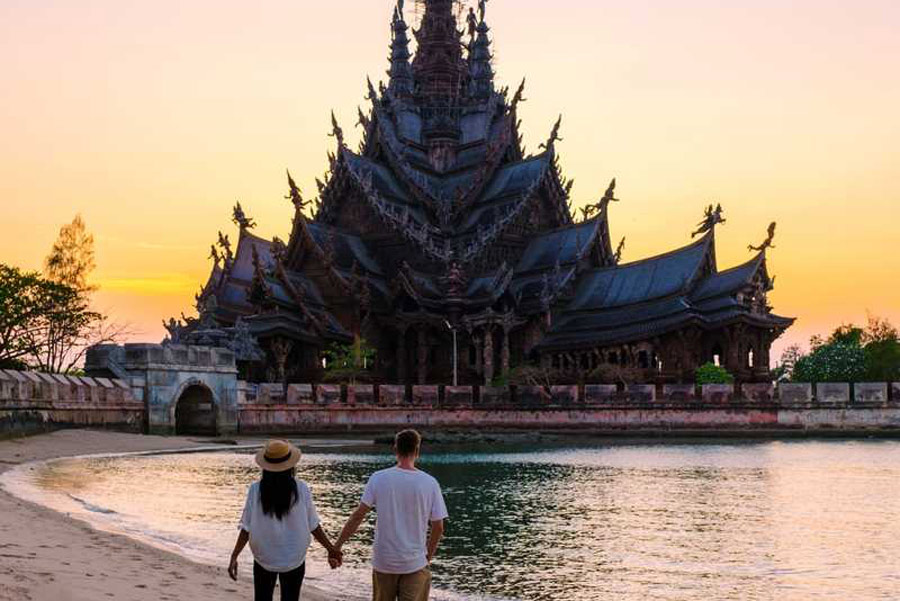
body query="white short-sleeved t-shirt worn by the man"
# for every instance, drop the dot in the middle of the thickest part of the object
(405, 501)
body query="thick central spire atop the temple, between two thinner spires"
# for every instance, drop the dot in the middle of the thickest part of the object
(438, 67)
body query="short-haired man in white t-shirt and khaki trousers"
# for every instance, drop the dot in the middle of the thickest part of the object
(406, 501)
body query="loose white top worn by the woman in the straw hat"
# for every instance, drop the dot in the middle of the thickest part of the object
(280, 545)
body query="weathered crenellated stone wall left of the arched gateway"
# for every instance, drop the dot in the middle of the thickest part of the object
(36, 402)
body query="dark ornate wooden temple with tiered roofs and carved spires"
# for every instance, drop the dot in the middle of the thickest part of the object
(440, 224)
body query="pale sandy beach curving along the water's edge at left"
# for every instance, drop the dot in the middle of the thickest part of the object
(46, 556)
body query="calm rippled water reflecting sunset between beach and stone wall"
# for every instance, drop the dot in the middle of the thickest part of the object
(762, 521)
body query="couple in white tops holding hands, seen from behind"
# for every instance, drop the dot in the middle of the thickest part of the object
(280, 521)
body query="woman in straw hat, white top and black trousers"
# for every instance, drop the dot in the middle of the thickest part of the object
(278, 518)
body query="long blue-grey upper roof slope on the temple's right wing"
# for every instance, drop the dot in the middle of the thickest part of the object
(642, 281)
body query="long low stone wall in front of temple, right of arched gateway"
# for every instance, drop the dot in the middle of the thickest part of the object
(269, 408)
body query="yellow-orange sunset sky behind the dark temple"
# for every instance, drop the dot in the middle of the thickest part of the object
(151, 118)
